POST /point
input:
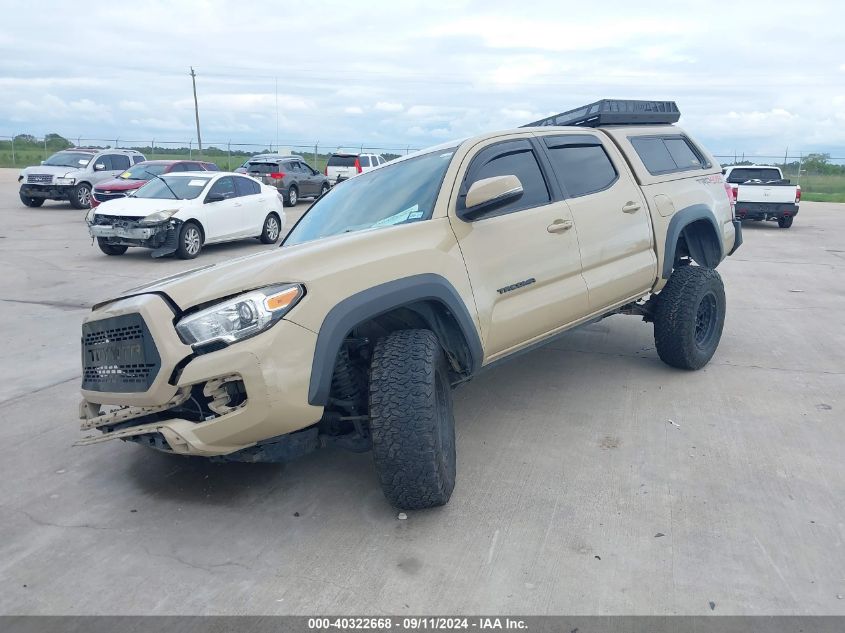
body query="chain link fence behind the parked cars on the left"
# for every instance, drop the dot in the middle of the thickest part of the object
(23, 150)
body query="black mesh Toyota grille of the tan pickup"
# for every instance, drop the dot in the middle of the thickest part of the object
(118, 355)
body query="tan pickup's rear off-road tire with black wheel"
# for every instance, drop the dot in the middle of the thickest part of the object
(689, 317)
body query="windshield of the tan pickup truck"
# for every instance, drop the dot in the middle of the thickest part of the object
(397, 194)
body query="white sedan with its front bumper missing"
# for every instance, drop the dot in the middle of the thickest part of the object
(179, 213)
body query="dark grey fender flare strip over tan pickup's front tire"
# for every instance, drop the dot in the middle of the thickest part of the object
(378, 300)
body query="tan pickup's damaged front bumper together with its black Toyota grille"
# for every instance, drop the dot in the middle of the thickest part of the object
(141, 383)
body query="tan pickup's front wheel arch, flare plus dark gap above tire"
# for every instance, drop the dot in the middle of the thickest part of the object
(428, 297)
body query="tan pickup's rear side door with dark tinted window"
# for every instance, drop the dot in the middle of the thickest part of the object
(610, 214)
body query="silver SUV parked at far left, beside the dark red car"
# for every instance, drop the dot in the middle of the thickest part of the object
(71, 174)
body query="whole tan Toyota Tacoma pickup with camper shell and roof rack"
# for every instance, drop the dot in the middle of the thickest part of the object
(406, 281)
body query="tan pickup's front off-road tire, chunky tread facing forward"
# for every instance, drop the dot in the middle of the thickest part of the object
(411, 420)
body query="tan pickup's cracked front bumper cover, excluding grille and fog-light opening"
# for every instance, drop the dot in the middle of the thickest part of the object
(276, 387)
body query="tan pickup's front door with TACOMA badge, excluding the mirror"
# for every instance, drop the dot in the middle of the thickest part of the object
(522, 258)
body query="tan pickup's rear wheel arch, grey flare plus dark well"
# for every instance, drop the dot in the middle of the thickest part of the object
(697, 226)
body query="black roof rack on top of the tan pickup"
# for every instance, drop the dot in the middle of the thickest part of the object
(615, 112)
